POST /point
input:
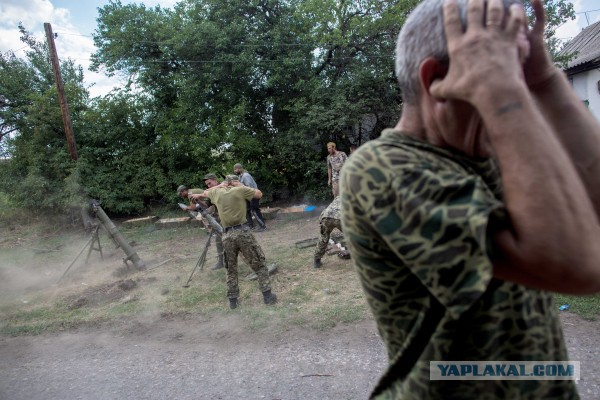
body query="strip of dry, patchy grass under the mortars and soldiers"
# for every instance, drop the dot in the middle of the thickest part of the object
(104, 290)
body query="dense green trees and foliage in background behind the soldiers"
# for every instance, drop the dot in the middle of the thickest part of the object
(211, 83)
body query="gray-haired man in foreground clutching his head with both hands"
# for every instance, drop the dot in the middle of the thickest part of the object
(483, 199)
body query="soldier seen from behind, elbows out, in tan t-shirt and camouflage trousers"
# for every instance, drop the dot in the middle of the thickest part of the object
(230, 198)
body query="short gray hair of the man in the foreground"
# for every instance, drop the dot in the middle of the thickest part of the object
(423, 36)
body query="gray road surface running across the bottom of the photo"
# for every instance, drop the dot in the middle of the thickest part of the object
(219, 359)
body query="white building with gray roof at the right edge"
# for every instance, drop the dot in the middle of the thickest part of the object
(583, 70)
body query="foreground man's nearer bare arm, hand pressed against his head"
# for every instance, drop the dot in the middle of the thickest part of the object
(553, 241)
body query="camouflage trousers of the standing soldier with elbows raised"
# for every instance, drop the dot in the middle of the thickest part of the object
(239, 241)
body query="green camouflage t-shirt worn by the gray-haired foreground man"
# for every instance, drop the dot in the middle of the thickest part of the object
(418, 220)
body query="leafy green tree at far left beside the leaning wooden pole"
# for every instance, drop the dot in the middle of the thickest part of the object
(30, 113)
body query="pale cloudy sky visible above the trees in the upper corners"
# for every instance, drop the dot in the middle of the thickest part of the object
(74, 21)
